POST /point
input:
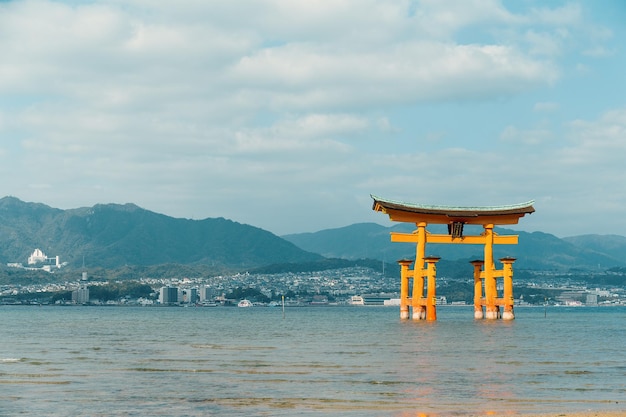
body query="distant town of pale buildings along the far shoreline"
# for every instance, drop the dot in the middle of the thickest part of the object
(340, 287)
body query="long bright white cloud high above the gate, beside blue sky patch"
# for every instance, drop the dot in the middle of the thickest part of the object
(307, 76)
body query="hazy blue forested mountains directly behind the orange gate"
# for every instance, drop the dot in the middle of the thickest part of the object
(537, 250)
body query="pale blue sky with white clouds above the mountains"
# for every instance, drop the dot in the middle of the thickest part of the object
(287, 115)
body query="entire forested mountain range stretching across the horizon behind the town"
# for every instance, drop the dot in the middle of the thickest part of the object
(114, 236)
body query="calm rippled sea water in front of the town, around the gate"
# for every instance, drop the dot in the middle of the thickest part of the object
(335, 361)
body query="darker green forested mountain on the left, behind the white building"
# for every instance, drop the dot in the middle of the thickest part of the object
(113, 235)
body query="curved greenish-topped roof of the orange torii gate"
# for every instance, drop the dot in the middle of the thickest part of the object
(439, 214)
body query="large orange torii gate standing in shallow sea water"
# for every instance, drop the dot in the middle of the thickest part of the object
(485, 272)
